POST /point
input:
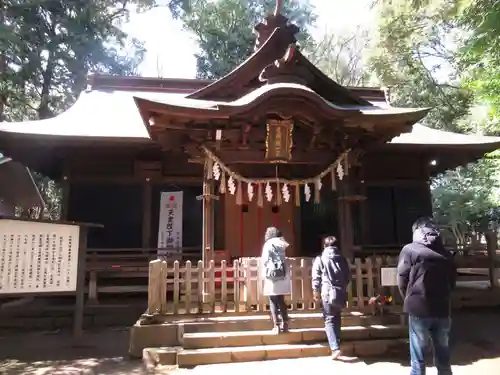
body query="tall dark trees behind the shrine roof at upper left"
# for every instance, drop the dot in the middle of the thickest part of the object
(47, 50)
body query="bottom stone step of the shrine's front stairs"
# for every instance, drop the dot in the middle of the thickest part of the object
(189, 357)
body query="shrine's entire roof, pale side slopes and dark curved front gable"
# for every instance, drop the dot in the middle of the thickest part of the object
(276, 79)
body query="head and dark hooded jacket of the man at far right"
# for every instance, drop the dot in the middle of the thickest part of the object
(426, 275)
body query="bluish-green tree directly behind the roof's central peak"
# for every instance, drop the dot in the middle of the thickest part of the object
(224, 30)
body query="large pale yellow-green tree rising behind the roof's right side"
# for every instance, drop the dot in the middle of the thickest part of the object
(414, 55)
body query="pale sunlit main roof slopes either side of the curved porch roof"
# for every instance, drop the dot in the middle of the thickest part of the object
(104, 114)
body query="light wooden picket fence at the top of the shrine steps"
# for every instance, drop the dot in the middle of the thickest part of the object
(187, 288)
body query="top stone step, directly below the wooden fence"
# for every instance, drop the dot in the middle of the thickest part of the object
(262, 322)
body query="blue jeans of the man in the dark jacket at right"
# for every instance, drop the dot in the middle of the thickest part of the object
(438, 331)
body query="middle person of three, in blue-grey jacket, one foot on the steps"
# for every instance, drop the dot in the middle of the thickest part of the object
(331, 275)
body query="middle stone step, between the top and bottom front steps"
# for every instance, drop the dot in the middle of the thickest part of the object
(203, 340)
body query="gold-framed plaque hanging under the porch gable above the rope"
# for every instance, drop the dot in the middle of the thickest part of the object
(279, 141)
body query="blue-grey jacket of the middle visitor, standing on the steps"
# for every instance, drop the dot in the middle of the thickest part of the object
(331, 275)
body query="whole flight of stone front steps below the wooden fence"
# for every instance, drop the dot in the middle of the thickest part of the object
(223, 339)
